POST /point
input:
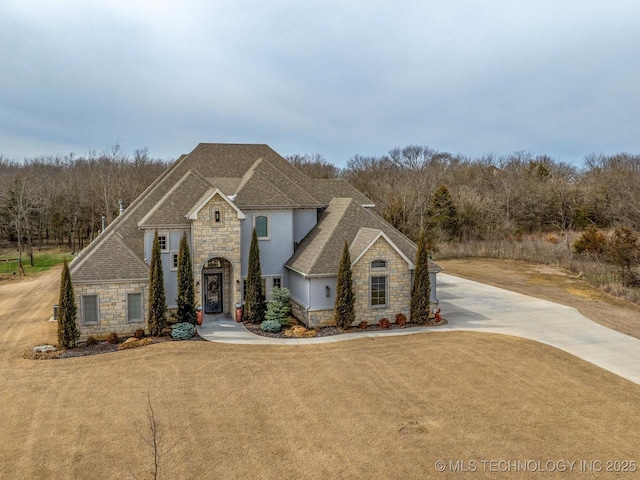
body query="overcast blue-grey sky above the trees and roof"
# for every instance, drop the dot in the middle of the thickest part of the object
(335, 78)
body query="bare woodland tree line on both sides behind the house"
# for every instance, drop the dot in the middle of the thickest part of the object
(61, 200)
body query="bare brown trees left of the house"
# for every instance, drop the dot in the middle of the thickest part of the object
(60, 200)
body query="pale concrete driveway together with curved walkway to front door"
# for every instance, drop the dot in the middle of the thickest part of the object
(473, 306)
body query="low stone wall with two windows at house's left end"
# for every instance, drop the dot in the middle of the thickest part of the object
(112, 308)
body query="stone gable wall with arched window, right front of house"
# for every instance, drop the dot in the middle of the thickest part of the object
(398, 284)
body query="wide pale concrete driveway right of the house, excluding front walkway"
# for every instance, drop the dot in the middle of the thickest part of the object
(477, 307)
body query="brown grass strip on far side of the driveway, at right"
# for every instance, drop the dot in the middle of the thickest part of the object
(553, 284)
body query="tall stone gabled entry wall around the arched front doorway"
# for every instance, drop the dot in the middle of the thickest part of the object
(217, 239)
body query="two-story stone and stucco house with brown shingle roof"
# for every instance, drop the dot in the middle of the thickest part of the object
(218, 194)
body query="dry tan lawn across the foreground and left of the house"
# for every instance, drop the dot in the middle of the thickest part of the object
(372, 408)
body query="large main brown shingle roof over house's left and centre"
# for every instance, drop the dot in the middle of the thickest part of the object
(252, 175)
